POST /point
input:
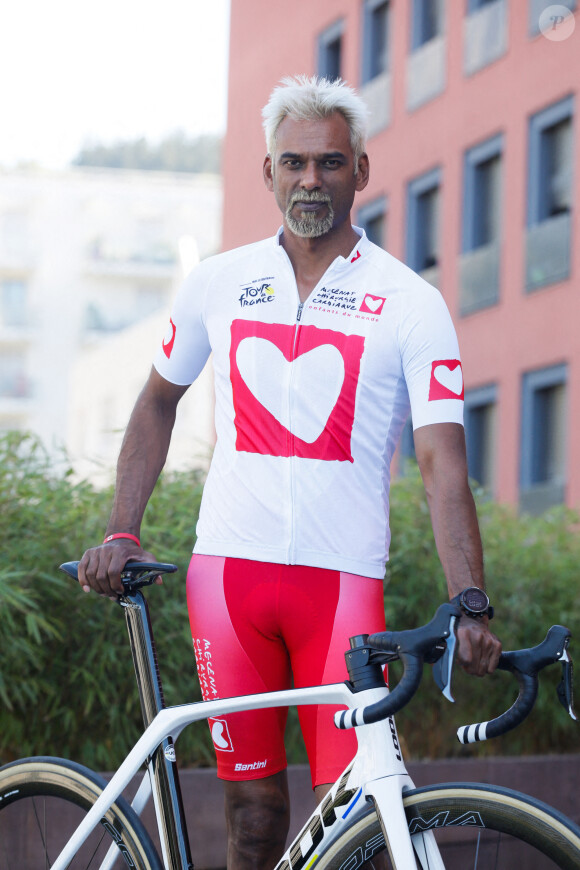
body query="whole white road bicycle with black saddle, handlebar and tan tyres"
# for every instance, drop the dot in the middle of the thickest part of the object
(372, 805)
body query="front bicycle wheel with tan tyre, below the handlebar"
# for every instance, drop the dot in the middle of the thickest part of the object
(481, 827)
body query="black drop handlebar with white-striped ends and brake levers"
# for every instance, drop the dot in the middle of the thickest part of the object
(422, 644)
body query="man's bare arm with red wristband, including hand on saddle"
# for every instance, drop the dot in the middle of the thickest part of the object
(141, 459)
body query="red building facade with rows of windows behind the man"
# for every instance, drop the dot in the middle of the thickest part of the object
(474, 152)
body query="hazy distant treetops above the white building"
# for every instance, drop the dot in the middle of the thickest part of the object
(175, 153)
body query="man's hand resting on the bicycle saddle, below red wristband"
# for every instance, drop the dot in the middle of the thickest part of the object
(100, 568)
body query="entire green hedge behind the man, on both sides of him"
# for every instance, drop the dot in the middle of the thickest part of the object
(66, 678)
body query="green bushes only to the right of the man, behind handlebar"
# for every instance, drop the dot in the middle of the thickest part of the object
(532, 567)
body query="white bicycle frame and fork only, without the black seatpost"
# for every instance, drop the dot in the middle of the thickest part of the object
(377, 773)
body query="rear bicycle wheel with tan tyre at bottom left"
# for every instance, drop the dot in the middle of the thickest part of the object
(42, 801)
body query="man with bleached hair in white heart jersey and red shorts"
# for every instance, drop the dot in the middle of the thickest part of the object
(320, 342)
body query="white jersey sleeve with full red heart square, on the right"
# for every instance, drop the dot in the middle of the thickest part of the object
(430, 357)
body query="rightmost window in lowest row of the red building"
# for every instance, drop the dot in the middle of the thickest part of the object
(543, 439)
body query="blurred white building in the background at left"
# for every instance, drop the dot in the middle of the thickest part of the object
(89, 262)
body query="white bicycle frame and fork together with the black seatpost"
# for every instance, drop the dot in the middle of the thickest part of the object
(377, 772)
